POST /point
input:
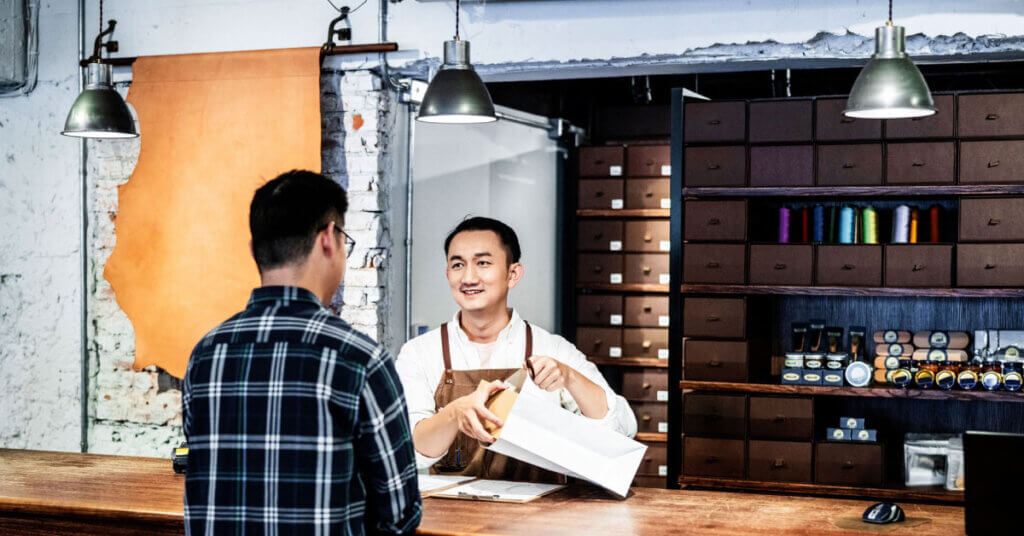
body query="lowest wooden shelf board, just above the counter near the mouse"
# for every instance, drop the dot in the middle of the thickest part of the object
(929, 494)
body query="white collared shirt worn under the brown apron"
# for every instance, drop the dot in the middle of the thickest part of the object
(421, 366)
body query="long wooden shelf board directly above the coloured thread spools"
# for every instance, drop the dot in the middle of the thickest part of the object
(890, 191)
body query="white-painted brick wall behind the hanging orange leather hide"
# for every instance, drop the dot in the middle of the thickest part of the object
(140, 414)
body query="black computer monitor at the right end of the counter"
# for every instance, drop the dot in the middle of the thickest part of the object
(992, 471)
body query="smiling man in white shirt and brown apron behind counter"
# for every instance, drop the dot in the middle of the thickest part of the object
(442, 370)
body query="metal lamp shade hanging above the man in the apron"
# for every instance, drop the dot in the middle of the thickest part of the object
(457, 95)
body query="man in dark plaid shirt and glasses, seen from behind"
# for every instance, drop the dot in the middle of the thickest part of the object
(296, 424)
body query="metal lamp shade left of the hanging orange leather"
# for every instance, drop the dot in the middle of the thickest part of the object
(100, 111)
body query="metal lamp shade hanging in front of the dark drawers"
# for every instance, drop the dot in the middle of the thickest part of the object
(890, 87)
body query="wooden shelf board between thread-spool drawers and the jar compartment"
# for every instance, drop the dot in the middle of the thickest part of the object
(855, 292)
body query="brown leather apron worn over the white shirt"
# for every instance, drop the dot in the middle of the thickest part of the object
(466, 456)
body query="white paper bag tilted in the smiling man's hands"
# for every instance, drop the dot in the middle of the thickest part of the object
(563, 442)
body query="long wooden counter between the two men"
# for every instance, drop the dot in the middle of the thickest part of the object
(64, 493)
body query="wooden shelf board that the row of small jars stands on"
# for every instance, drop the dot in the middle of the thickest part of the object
(885, 393)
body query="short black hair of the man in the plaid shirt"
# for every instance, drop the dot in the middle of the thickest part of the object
(287, 214)
